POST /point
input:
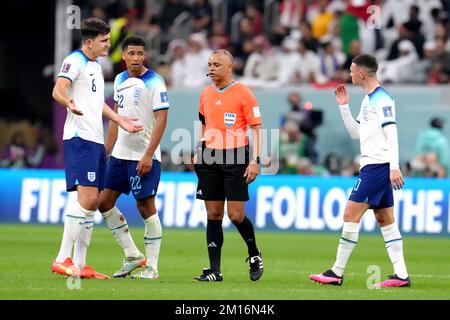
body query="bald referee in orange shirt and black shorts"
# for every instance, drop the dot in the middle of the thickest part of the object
(222, 162)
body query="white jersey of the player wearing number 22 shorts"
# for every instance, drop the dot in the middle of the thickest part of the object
(138, 97)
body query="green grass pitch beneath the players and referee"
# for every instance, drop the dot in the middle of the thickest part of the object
(26, 253)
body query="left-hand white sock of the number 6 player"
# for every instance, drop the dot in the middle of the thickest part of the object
(73, 222)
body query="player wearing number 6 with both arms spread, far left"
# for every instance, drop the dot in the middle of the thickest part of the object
(80, 88)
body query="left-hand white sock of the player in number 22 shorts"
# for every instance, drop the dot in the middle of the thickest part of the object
(117, 223)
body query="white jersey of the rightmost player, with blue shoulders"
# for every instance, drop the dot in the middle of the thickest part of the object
(377, 111)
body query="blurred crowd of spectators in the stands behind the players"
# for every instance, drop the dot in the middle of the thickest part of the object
(283, 42)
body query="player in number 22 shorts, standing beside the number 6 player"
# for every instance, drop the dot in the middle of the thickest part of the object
(134, 164)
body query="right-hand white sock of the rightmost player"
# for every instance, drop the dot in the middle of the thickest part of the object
(394, 246)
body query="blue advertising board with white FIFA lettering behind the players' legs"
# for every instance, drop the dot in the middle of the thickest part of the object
(280, 202)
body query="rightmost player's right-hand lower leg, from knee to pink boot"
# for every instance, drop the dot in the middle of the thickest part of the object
(394, 246)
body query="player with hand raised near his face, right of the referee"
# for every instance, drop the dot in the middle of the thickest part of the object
(376, 128)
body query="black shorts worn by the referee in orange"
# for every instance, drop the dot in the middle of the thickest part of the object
(221, 174)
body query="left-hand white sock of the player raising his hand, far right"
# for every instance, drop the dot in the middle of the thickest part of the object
(347, 242)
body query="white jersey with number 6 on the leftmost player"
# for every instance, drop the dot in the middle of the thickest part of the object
(87, 92)
